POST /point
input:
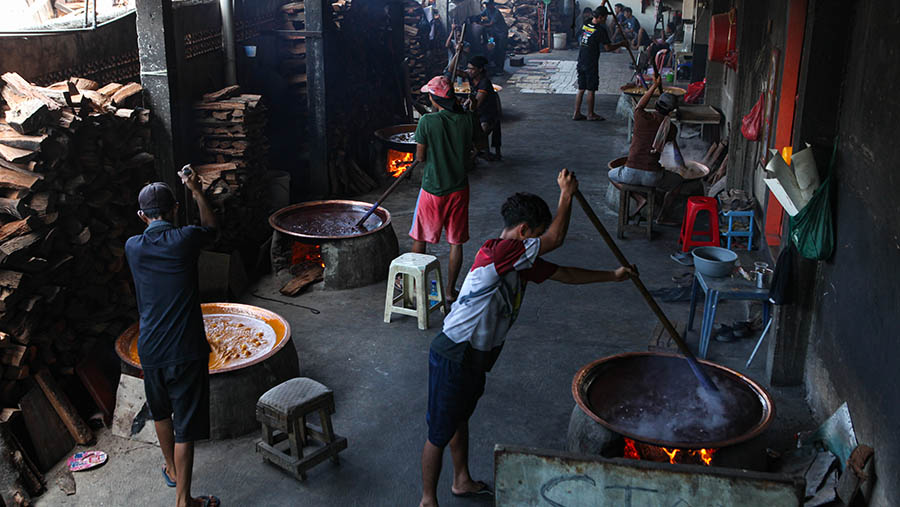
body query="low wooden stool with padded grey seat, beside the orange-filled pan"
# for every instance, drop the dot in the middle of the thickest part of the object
(282, 412)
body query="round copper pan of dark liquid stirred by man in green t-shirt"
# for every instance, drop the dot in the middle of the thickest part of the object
(322, 221)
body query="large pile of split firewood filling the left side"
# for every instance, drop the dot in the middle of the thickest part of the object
(73, 157)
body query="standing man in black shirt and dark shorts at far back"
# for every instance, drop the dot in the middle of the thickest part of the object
(593, 37)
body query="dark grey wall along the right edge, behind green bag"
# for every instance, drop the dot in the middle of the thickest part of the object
(852, 354)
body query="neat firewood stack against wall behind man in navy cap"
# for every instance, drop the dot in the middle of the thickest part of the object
(233, 145)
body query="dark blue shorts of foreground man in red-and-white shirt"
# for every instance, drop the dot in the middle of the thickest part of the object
(453, 392)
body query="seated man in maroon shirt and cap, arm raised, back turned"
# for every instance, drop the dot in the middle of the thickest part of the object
(652, 130)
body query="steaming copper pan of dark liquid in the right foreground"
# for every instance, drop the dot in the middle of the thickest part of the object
(654, 398)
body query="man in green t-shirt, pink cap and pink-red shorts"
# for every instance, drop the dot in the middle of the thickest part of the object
(444, 147)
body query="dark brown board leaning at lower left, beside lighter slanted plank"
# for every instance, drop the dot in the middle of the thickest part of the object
(48, 433)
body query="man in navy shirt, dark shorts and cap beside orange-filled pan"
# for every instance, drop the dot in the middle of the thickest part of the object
(172, 344)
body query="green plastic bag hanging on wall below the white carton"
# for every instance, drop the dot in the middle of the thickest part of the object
(812, 229)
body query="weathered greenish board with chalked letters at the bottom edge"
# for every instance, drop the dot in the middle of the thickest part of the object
(527, 476)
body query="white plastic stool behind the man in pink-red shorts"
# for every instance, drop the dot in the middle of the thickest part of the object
(415, 268)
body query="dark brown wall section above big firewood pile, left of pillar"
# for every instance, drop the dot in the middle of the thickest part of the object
(106, 54)
